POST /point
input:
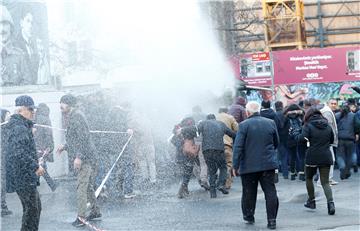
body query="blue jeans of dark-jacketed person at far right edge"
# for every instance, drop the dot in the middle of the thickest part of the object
(345, 153)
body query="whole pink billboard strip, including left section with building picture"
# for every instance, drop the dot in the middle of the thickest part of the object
(321, 65)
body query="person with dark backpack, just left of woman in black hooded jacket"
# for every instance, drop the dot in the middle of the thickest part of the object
(295, 148)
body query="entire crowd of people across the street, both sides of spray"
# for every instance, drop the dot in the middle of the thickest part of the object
(251, 140)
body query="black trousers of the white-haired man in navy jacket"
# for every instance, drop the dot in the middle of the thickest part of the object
(250, 185)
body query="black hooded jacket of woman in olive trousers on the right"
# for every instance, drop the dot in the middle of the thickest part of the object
(320, 136)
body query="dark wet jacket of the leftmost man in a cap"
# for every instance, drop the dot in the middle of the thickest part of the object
(20, 154)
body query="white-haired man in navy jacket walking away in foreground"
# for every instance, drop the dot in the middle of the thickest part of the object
(255, 160)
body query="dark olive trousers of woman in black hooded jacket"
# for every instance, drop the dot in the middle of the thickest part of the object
(324, 179)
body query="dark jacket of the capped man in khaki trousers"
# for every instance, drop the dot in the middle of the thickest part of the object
(78, 140)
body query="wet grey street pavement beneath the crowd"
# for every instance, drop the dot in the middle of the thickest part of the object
(158, 208)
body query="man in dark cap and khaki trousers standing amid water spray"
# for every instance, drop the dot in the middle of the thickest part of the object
(79, 143)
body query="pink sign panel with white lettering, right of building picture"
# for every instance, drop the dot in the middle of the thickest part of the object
(317, 65)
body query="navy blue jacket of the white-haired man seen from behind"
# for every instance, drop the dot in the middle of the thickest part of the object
(255, 144)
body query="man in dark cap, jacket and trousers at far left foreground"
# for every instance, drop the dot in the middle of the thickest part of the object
(22, 167)
